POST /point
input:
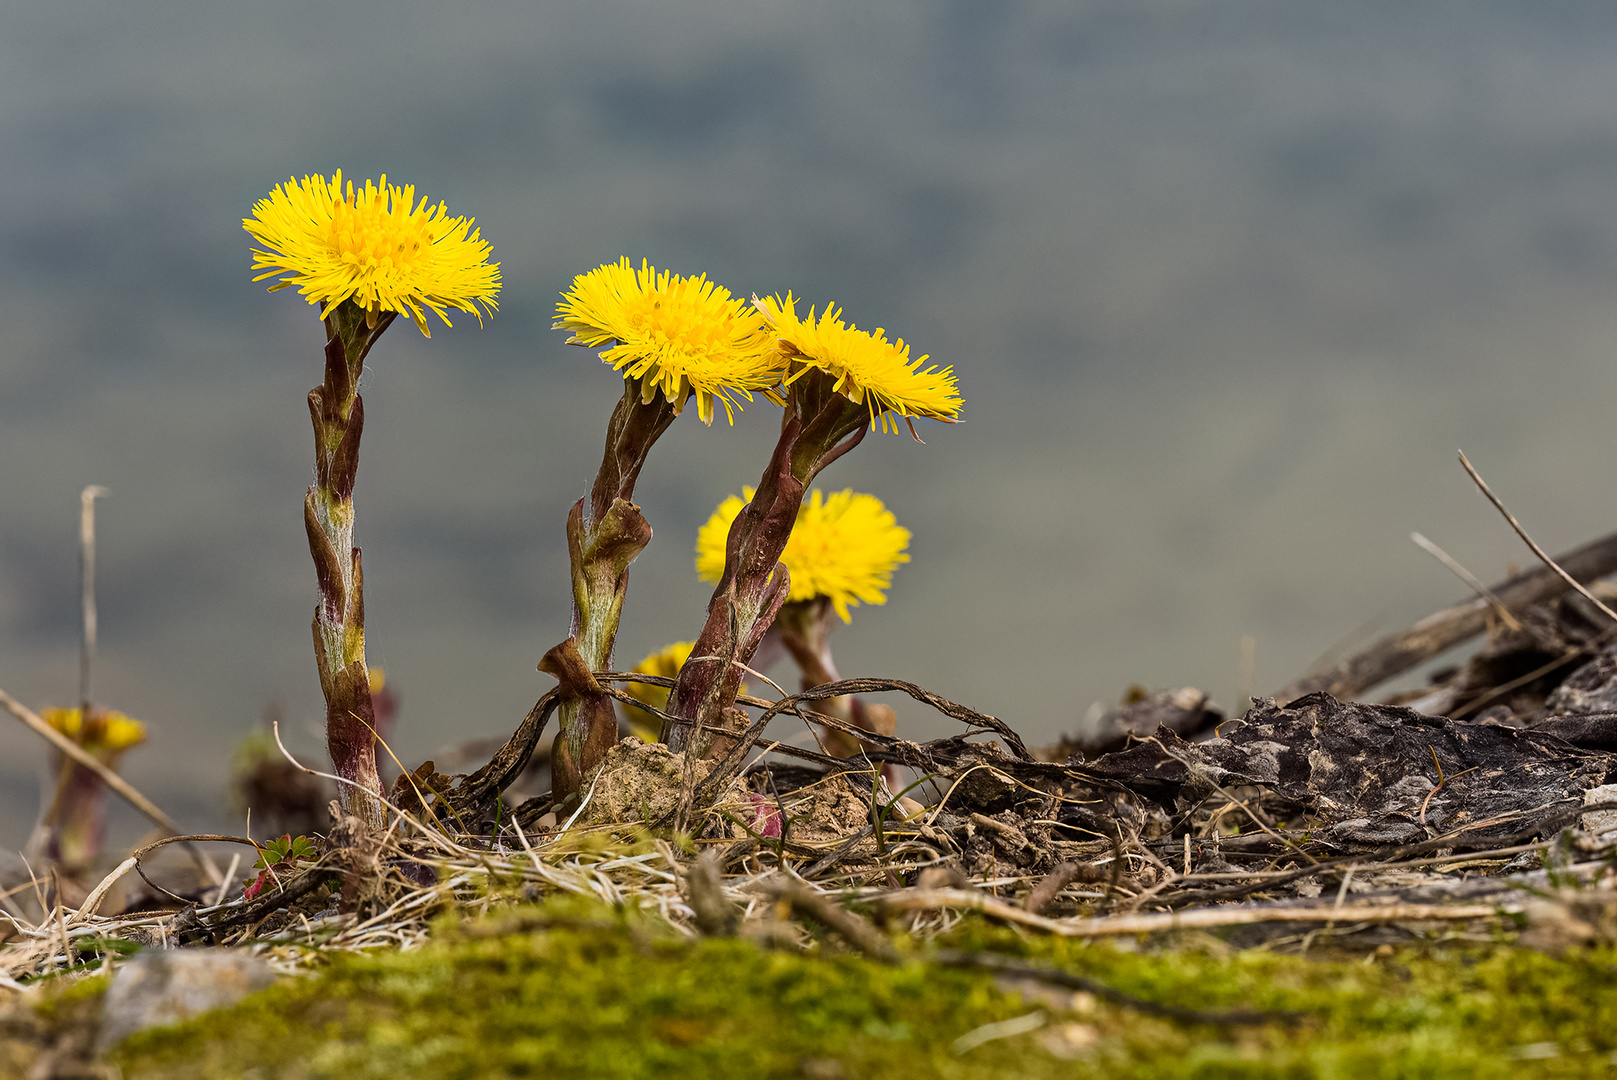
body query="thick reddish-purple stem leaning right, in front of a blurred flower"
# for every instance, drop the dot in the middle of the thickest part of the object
(821, 426)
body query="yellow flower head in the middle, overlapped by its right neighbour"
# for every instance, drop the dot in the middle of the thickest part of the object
(678, 335)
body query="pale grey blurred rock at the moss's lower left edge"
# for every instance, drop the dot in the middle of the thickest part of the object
(156, 989)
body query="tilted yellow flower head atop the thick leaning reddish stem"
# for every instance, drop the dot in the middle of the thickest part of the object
(868, 368)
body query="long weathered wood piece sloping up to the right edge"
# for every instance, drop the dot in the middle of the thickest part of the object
(1445, 630)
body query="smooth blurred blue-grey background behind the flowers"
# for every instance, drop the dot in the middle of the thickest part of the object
(1225, 284)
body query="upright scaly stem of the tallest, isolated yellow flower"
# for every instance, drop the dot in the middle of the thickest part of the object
(339, 416)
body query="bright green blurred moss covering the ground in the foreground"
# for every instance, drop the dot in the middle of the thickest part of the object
(570, 990)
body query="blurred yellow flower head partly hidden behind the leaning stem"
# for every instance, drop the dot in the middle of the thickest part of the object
(843, 547)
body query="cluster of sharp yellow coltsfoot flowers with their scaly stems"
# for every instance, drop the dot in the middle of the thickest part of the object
(365, 255)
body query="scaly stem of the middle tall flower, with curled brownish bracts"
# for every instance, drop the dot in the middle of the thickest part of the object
(606, 534)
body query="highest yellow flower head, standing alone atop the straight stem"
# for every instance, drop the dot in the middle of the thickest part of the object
(374, 247)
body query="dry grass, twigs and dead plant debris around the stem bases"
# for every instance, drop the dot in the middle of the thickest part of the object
(1299, 822)
